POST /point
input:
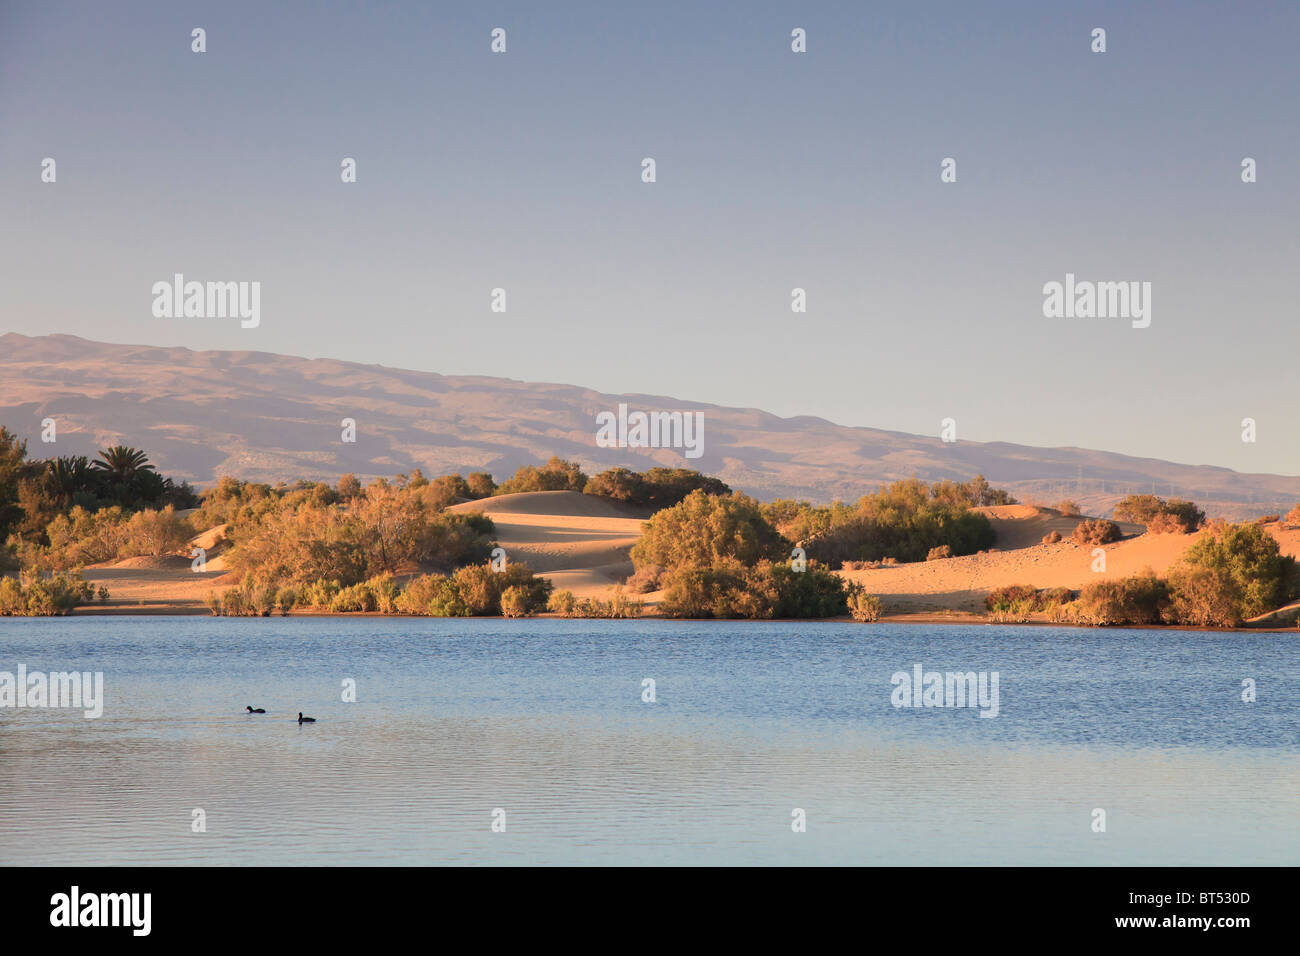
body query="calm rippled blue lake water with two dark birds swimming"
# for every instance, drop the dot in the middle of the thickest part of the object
(545, 721)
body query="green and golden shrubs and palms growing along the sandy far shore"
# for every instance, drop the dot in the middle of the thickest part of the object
(398, 547)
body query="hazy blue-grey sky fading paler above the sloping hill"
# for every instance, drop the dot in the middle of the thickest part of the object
(775, 170)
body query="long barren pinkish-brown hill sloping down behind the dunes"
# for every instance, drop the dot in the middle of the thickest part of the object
(271, 418)
